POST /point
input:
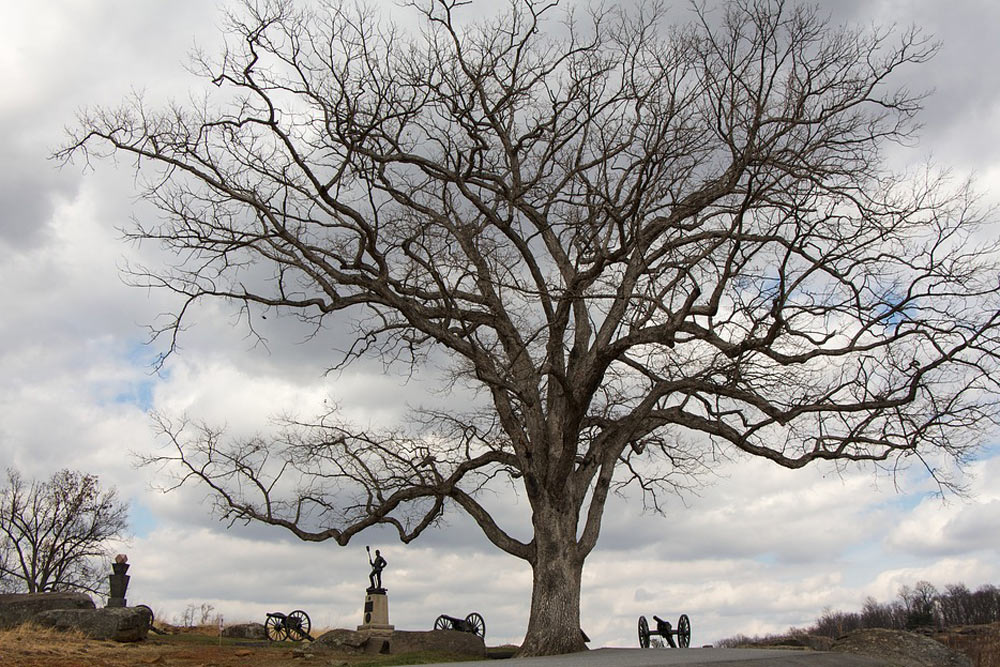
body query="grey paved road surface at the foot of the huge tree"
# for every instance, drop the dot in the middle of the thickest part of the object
(695, 657)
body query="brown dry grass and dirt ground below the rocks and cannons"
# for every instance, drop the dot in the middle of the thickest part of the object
(35, 647)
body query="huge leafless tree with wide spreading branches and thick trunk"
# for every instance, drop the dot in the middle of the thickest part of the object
(645, 244)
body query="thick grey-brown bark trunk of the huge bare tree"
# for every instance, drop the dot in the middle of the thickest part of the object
(554, 624)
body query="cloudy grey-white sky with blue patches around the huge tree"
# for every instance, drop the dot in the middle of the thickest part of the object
(759, 550)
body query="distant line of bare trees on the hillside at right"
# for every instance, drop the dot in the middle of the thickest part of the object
(921, 605)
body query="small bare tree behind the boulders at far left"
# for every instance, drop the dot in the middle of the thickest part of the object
(53, 534)
